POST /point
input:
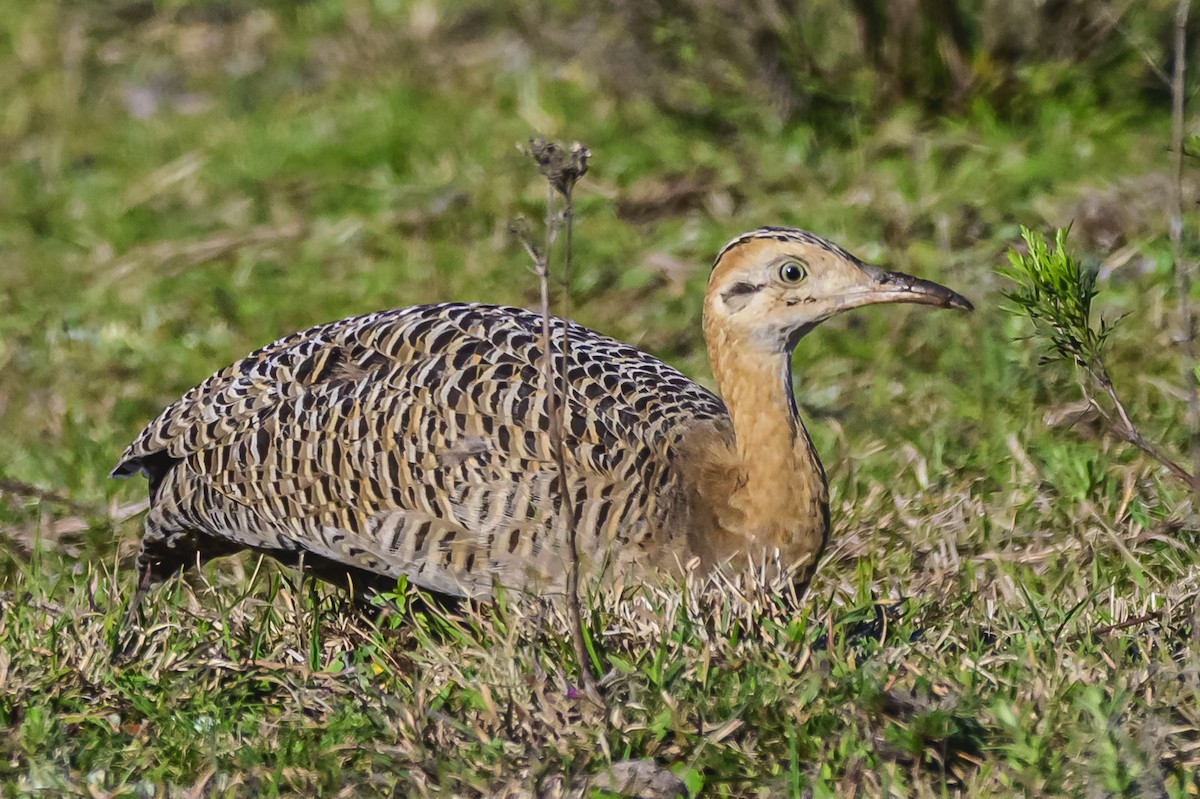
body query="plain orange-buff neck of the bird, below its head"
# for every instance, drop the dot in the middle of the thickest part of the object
(778, 498)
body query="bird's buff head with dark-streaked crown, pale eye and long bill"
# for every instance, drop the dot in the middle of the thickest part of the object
(772, 286)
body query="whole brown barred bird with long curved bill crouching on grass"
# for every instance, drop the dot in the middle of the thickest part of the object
(418, 443)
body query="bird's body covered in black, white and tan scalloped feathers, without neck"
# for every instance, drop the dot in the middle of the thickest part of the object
(417, 442)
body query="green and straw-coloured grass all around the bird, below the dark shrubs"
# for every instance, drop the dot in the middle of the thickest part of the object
(1006, 608)
